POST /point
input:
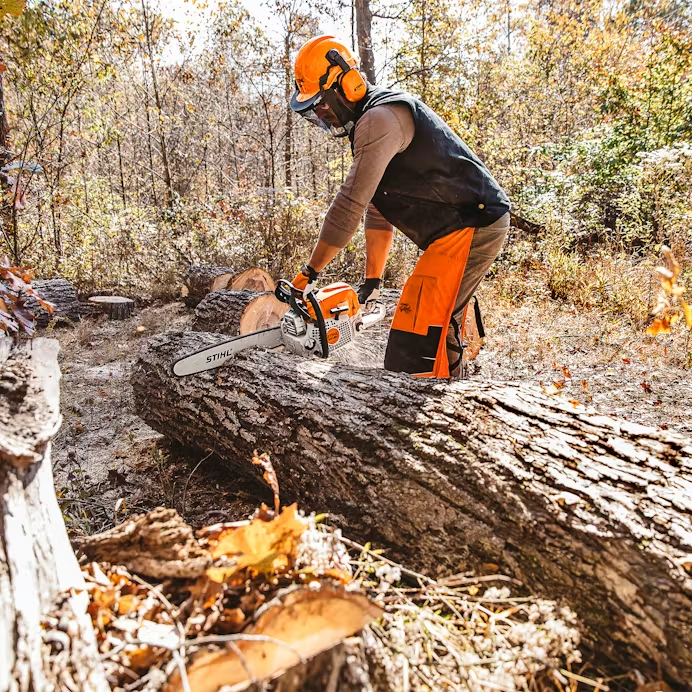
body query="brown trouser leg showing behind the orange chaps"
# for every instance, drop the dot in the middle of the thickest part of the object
(485, 247)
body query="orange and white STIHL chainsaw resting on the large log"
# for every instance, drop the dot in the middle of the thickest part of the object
(319, 323)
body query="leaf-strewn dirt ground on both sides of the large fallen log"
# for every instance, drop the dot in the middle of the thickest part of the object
(109, 464)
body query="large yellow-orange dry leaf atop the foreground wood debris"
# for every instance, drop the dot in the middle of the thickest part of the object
(260, 546)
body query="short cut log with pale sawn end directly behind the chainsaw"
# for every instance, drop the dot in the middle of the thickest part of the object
(238, 312)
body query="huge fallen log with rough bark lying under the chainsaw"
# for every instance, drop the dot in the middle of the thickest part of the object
(469, 475)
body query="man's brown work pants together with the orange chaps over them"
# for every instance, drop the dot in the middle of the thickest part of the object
(426, 331)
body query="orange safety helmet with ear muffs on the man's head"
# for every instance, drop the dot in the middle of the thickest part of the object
(322, 63)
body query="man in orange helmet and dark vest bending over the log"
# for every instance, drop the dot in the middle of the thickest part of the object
(411, 171)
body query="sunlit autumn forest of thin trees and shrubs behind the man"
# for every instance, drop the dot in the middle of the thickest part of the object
(138, 144)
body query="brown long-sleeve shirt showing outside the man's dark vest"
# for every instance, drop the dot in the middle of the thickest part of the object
(381, 133)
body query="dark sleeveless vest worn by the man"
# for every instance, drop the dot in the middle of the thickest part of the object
(437, 185)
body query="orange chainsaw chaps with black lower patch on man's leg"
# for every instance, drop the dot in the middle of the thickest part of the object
(418, 338)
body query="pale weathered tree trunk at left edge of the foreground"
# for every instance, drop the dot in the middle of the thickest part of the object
(46, 636)
